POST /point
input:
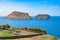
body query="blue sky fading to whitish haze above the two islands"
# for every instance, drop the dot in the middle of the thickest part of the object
(33, 7)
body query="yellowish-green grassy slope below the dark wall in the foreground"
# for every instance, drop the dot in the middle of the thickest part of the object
(44, 37)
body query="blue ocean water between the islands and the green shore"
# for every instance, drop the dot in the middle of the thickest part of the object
(52, 25)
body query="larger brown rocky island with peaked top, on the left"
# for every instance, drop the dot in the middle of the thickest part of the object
(18, 15)
